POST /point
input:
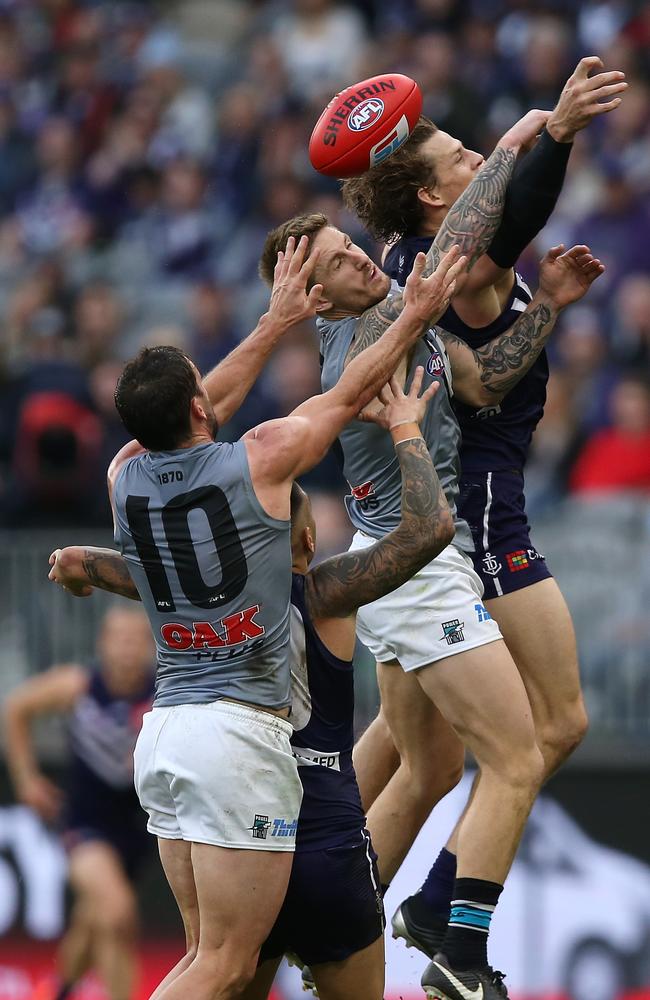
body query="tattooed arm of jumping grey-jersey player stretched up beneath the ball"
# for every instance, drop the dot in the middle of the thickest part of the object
(470, 224)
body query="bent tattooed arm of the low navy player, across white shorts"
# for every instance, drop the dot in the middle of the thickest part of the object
(342, 584)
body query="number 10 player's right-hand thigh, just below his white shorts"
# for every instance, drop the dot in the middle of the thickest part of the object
(239, 894)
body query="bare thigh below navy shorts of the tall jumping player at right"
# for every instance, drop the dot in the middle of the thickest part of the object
(536, 625)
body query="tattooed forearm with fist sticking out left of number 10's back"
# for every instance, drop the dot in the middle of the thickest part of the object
(80, 568)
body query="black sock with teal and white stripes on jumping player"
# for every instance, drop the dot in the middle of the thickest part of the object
(472, 906)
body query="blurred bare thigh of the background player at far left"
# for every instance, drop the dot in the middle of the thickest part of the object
(100, 881)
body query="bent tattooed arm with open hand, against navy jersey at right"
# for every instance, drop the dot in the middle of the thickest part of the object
(484, 376)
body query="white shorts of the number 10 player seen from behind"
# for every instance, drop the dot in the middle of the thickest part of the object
(220, 773)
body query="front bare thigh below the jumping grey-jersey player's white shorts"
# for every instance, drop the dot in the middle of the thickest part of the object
(482, 695)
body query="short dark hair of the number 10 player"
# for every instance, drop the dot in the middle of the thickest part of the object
(153, 397)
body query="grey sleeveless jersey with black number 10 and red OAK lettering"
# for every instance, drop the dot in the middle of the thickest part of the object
(213, 570)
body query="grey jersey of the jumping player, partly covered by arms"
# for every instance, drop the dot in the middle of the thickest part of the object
(370, 464)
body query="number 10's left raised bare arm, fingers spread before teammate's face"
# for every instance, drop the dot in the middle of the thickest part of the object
(230, 382)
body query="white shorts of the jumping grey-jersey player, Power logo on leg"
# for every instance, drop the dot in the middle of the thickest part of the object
(438, 613)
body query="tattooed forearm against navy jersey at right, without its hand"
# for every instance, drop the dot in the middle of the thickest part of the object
(504, 361)
